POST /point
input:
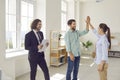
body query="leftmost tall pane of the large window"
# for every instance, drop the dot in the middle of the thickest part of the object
(10, 24)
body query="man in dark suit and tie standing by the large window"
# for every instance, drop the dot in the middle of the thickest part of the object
(33, 41)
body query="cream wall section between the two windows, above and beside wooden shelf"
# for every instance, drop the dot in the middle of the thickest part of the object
(53, 20)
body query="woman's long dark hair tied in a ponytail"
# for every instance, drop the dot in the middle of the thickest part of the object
(106, 30)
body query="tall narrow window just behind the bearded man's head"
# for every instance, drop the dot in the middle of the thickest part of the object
(63, 15)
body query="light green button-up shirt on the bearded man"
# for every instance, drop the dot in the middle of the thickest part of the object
(72, 41)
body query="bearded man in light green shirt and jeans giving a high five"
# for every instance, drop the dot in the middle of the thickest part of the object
(72, 42)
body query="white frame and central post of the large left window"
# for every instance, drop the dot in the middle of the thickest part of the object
(18, 23)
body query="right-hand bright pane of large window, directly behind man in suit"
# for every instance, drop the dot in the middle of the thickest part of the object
(27, 10)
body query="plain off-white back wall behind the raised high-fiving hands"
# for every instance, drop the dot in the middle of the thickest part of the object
(106, 11)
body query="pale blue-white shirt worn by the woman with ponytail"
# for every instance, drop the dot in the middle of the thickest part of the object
(102, 46)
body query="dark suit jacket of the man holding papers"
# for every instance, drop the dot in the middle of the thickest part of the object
(31, 44)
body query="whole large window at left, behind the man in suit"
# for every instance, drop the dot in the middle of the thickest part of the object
(19, 15)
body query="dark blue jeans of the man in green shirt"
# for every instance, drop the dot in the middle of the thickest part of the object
(73, 66)
